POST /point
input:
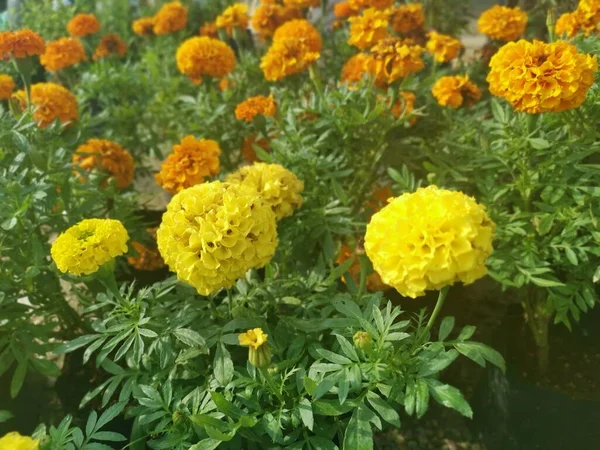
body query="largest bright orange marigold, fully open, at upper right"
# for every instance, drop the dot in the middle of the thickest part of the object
(538, 77)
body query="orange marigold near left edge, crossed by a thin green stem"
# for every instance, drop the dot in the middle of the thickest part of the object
(51, 102)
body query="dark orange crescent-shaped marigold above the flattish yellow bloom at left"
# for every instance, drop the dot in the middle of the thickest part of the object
(108, 156)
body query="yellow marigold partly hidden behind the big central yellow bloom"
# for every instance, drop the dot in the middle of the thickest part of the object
(279, 188)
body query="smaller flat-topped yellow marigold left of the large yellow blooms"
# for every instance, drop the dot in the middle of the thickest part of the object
(84, 247)
